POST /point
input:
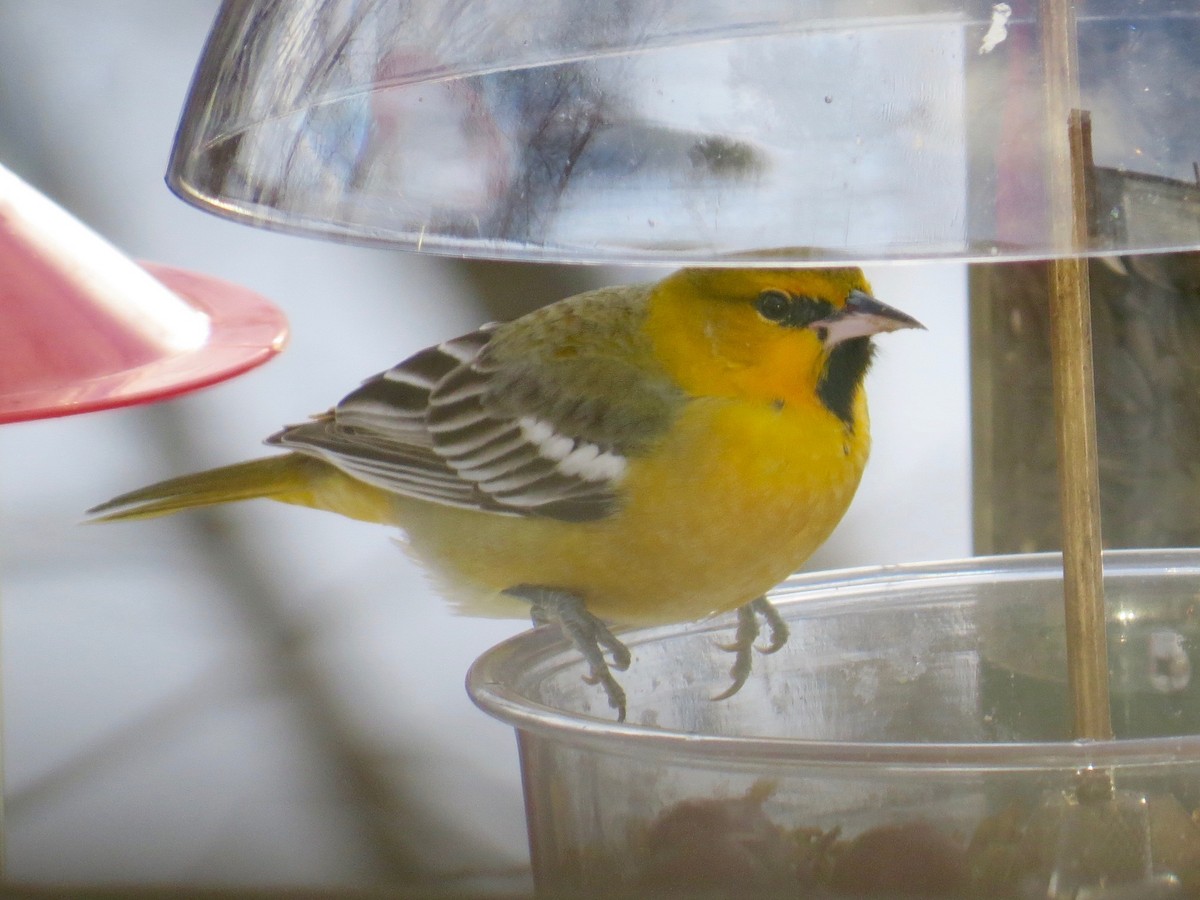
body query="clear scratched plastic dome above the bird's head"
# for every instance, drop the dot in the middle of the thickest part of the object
(671, 133)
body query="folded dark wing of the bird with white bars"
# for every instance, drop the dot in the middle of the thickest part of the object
(464, 425)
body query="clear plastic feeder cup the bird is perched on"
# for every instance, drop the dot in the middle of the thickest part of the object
(911, 739)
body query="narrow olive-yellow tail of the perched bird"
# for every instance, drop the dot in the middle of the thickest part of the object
(287, 478)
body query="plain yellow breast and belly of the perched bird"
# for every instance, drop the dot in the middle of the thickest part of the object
(735, 500)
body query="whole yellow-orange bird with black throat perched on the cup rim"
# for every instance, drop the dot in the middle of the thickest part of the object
(635, 455)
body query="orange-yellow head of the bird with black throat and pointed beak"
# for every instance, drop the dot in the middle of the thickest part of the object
(779, 335)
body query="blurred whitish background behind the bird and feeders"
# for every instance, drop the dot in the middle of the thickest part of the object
(271, 695)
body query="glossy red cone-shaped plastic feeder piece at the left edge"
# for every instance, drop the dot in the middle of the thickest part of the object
(86, 328)
